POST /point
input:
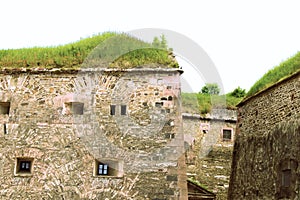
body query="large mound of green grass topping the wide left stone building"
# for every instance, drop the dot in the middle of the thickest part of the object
(116, 50)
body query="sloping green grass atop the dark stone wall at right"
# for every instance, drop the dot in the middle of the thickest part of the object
(274, 75)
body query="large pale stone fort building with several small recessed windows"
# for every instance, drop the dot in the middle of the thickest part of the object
(91, 134)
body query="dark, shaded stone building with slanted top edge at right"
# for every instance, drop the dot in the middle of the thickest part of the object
(266, 155)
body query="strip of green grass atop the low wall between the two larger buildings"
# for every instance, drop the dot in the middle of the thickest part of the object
(199, 103)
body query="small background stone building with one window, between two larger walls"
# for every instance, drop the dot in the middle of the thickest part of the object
(209, 143)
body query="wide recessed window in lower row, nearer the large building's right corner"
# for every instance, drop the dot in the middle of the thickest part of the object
(108, 168)
